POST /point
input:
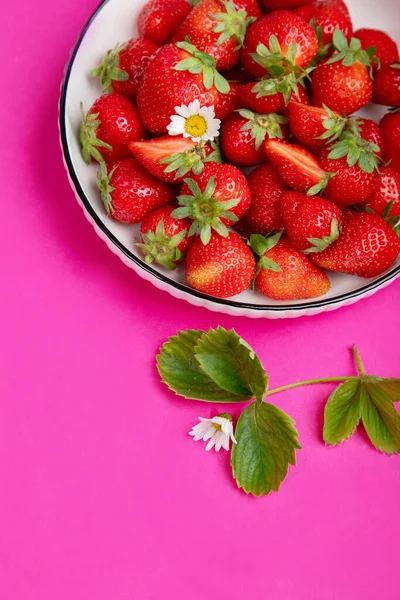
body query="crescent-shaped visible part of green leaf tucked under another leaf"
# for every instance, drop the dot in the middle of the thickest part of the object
(182, 373)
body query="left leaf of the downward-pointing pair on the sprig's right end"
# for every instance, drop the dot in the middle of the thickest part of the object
(342, 412)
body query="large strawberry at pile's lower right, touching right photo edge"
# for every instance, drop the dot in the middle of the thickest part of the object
(367, 247)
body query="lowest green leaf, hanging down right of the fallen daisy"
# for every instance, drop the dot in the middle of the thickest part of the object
(266, 444)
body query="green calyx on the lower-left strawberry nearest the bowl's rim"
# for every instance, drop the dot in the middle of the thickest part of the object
(162, 248)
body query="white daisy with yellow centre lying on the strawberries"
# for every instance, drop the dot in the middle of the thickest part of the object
(195, 122)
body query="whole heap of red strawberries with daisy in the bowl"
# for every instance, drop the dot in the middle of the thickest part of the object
(213, 89)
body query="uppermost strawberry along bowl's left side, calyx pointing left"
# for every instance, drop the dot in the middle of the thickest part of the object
(123, 66)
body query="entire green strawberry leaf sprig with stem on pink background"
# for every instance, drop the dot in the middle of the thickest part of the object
(220, 367)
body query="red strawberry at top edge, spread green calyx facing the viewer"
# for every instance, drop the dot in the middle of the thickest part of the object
(218, 28)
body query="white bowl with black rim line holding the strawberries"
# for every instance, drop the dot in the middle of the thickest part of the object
(113, 21)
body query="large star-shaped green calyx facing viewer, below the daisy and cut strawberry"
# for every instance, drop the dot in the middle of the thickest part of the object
(205, 210)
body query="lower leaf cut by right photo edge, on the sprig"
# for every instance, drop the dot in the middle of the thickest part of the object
(380, 418)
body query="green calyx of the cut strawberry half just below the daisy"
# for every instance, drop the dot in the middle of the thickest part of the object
(192, 161)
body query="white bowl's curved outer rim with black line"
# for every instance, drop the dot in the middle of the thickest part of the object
(304, 306)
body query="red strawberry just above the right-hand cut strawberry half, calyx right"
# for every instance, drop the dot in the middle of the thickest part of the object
(313, 126)
